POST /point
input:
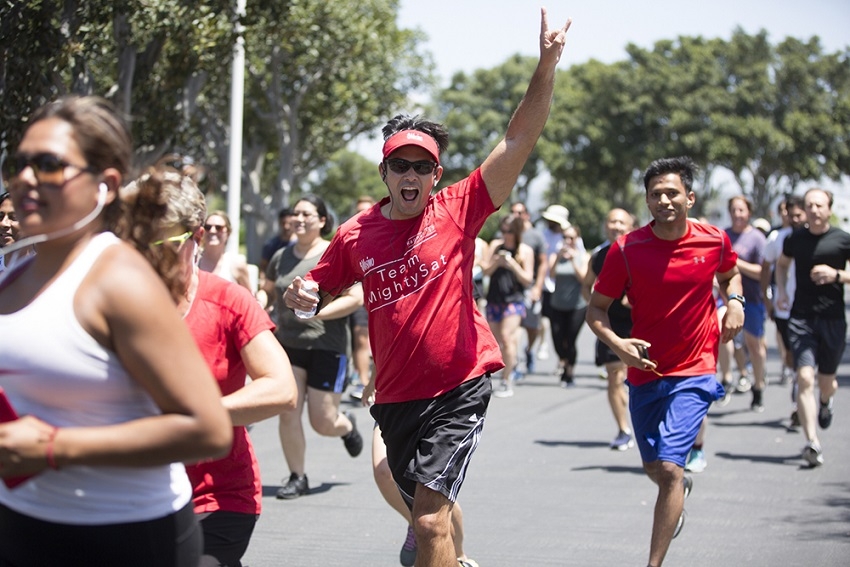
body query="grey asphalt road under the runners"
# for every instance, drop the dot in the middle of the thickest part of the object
(545, 489)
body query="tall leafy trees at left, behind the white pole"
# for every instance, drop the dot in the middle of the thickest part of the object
(318, 74)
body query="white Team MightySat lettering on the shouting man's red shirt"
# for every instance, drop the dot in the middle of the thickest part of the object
(396, 280)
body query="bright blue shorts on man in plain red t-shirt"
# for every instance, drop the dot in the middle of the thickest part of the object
(667, 413)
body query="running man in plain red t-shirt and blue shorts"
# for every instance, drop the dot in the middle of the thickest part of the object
(667, 270)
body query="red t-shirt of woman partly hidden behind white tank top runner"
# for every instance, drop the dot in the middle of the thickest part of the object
(224, 318)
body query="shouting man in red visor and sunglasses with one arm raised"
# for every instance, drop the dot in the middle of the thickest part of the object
(432, 348)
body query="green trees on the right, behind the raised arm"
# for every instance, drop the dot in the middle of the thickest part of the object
(773, 115)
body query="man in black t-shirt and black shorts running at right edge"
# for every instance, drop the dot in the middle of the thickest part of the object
(817, 327)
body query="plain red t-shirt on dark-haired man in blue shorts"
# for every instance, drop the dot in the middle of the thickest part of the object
(669, 285)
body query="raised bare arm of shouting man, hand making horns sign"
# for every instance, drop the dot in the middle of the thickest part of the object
(502, 167)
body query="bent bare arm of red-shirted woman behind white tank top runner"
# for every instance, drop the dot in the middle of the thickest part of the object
(272, 386)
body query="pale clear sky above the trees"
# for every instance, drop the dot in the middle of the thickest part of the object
(465, 35)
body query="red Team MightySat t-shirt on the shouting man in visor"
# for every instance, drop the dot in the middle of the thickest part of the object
(427, 335)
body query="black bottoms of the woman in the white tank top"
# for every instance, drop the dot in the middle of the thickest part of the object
(171, 541)
